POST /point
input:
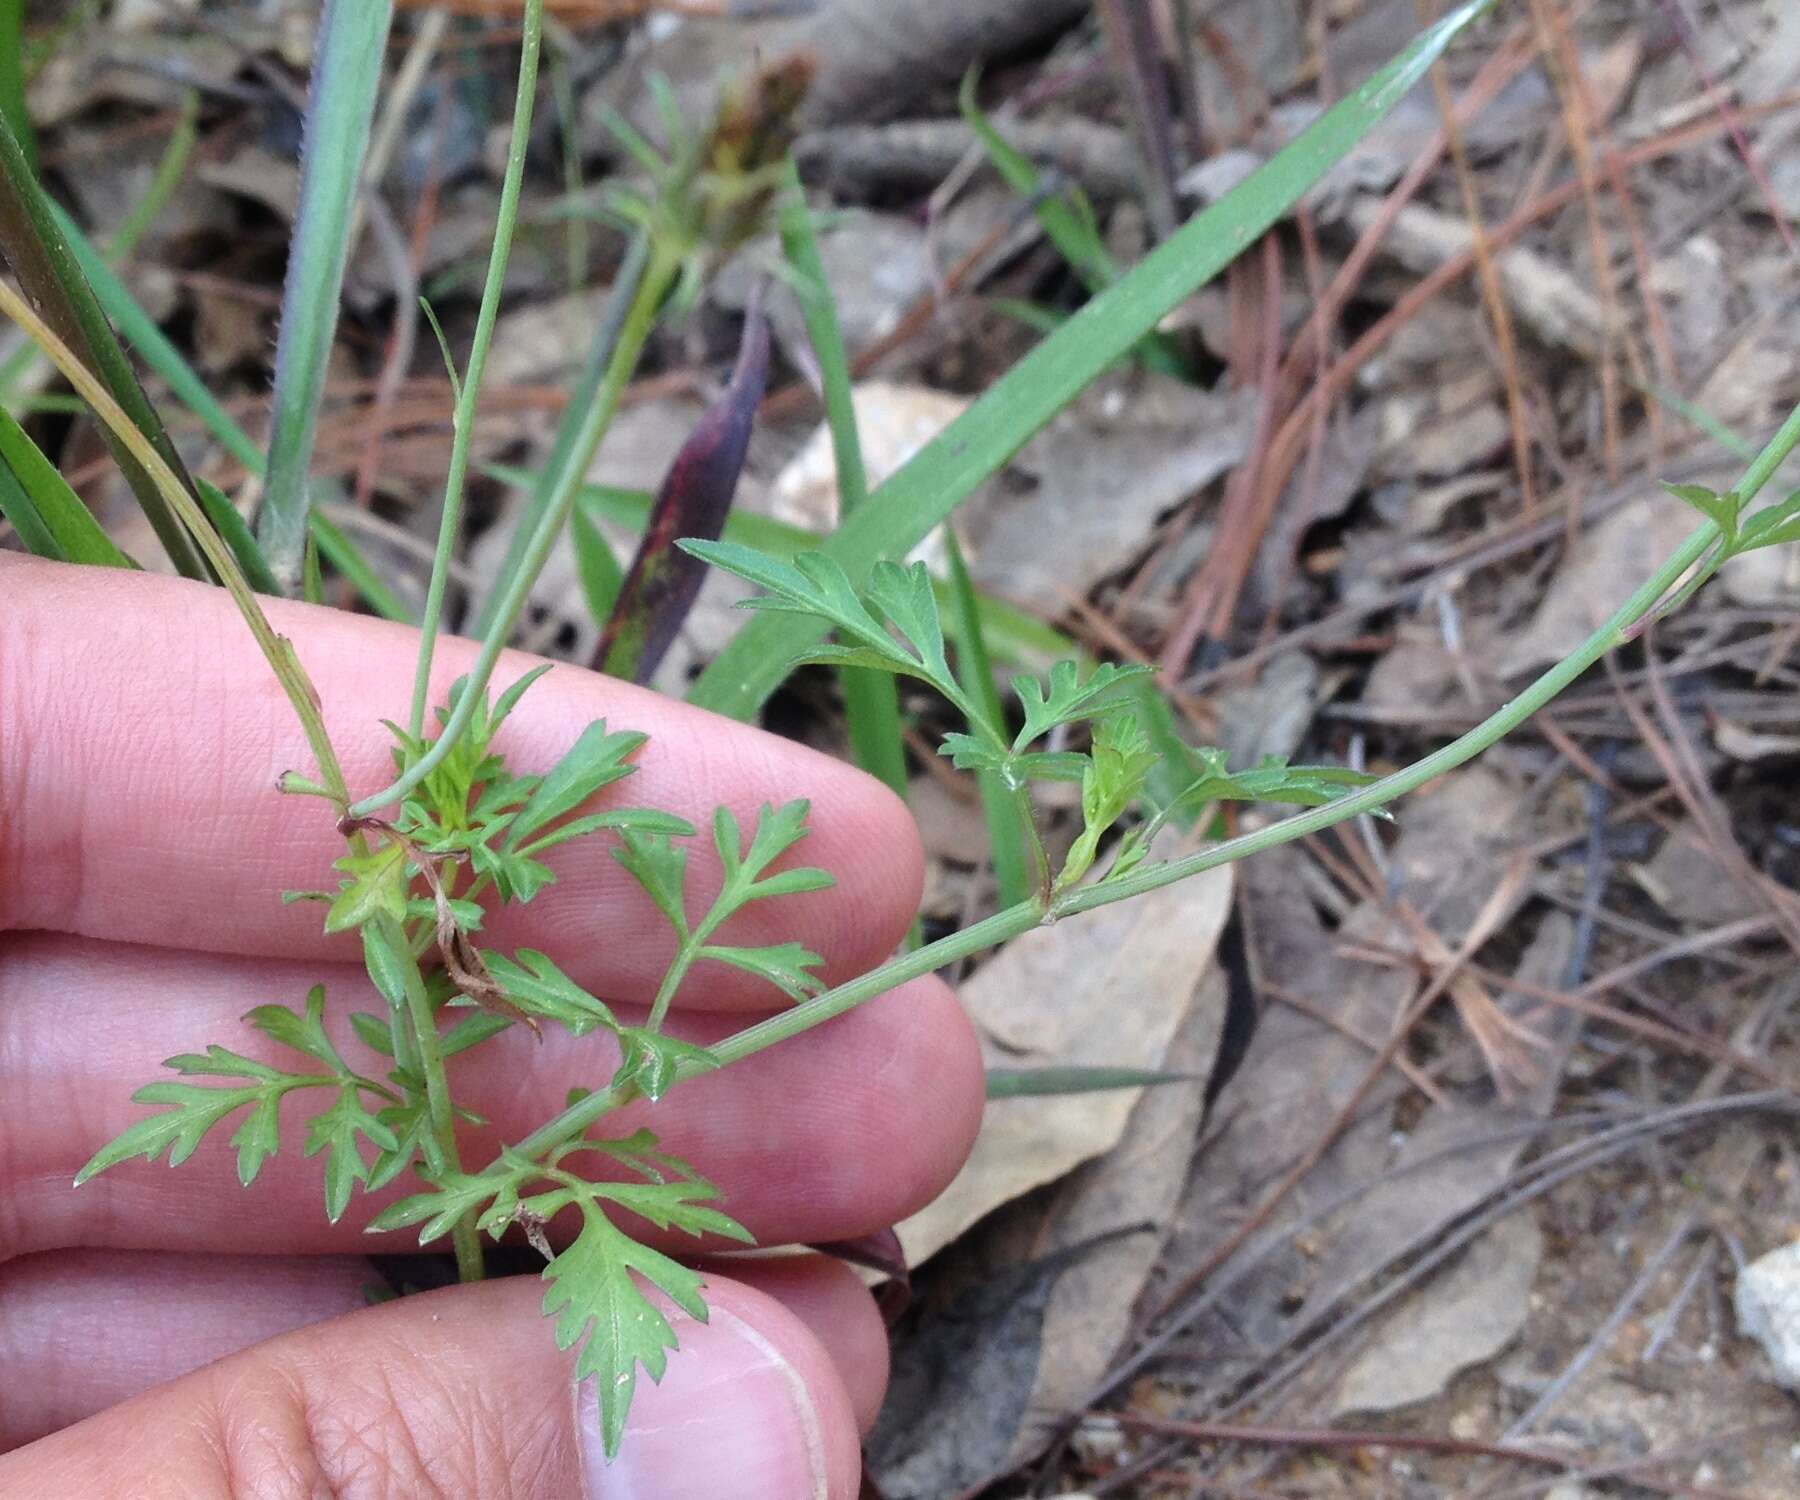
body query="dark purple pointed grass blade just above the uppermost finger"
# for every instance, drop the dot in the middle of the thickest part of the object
(694, 503)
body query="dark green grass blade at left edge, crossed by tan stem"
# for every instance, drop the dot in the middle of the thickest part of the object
(49, 275)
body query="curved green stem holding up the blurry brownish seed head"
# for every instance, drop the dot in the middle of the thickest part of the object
(633, 338)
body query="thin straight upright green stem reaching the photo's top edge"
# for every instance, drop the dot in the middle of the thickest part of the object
(469, 397)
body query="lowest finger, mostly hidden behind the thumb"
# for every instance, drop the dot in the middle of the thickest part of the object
(85, 1330)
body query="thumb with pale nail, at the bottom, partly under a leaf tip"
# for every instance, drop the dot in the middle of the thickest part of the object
(465, 1393)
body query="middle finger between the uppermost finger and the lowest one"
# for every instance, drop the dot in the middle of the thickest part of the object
(836, 1134)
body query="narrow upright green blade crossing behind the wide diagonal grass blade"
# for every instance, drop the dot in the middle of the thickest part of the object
(872, 700)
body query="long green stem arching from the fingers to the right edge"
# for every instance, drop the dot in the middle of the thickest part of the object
(1020, 919)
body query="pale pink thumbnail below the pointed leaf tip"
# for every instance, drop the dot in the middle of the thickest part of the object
(730, 1418)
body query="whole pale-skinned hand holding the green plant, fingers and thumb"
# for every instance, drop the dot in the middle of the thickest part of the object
(168, 1333)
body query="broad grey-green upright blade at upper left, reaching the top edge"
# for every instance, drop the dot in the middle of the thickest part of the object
(346, 77)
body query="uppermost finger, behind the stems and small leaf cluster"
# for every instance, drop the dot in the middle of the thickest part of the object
(141, 736)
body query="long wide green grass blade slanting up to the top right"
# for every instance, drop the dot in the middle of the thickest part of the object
(973, 447)
